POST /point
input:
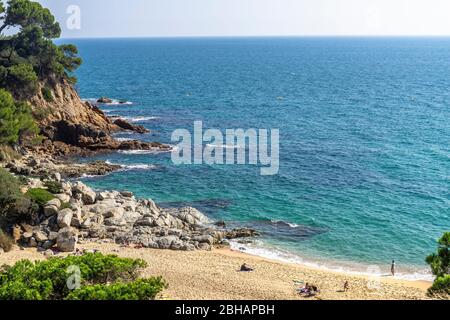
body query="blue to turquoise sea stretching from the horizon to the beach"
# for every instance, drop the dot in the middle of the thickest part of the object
(364, 138)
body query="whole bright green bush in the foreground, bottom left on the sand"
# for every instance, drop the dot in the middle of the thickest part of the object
(102, 277)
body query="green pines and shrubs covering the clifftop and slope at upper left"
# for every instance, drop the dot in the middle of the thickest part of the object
(29, 60)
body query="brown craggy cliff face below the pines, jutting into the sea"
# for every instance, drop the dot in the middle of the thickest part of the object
(70, 125)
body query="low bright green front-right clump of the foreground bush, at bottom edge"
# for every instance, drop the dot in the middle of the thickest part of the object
(142, 289)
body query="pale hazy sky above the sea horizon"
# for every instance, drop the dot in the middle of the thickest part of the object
(137, 18)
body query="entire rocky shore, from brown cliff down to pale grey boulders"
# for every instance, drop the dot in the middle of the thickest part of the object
(76, 213)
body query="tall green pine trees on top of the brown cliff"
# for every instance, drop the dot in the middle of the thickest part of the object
(29, 54)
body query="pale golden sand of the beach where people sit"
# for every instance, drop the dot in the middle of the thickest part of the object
(213, 275)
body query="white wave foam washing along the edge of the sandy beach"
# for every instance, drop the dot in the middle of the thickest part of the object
(260, 249)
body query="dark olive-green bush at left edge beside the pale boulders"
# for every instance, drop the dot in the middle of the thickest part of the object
(14, 205)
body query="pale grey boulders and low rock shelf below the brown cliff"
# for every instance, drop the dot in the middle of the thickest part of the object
(78, 214)
